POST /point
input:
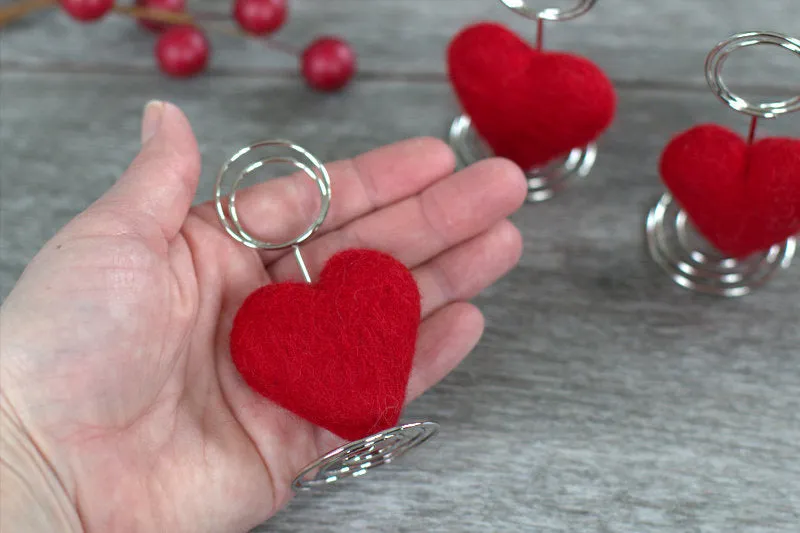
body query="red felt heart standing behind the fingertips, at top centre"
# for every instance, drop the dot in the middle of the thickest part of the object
(529, 106)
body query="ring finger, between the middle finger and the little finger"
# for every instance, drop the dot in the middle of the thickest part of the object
(461, 273)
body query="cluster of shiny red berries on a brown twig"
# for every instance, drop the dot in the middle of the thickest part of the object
(183, 50)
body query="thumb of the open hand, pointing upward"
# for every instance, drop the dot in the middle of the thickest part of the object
(161, 182)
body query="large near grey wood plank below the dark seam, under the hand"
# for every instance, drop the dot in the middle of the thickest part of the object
(601, 398)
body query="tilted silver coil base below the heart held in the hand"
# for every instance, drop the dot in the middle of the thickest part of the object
(356, 458)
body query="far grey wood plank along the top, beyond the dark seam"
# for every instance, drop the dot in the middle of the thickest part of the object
(635, 42)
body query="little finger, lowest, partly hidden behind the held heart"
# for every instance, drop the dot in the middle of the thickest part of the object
(445, 339)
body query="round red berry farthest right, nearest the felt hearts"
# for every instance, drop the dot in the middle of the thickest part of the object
(328, 63)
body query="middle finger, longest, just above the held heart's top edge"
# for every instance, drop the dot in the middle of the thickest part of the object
(413, 231)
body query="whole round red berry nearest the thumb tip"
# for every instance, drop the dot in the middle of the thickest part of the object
(182, 51)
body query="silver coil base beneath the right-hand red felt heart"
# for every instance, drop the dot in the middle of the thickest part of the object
(694, 264)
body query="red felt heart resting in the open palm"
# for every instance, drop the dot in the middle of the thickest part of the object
(338, 353)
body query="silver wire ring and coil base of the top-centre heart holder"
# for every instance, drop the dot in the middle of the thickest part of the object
(546, 181)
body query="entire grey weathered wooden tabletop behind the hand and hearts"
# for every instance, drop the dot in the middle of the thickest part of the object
(601, 398)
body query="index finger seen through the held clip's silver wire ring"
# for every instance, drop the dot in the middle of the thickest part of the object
(280, 209)
